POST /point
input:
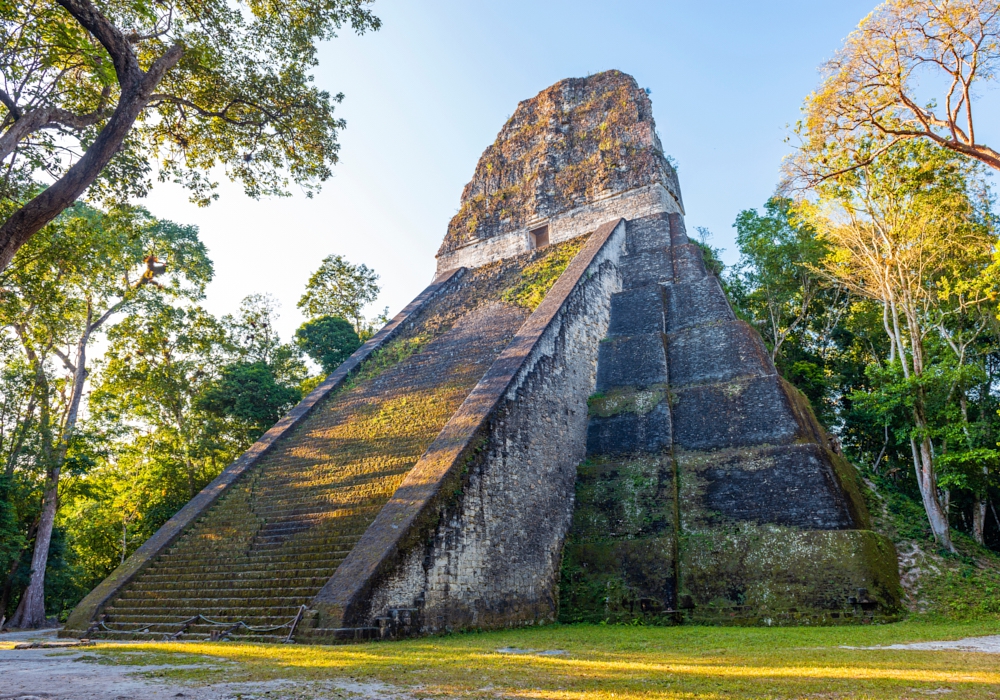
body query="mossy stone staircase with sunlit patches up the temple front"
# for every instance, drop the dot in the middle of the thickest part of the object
(248, 568)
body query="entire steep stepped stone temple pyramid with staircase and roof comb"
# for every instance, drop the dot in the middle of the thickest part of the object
(568, 424)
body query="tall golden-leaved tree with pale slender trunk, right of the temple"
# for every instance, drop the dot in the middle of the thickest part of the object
(903, 231)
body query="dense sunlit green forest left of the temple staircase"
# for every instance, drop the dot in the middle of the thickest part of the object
(98, 449)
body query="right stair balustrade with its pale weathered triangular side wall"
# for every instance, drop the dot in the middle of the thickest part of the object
(473, 536)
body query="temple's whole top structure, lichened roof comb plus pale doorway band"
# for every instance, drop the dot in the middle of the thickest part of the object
(582, 152)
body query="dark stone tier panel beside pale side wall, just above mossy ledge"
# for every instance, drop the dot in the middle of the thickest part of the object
(635, 361)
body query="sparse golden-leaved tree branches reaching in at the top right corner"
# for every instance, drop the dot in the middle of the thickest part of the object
(879, 88)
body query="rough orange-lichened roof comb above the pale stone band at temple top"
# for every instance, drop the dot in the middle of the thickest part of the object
(580, 139)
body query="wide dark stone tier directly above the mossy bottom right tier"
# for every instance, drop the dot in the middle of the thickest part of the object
(790, 485)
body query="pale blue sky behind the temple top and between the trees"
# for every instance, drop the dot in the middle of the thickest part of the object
(428, 93)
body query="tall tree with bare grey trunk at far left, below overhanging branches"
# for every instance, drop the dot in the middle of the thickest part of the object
(63, 288)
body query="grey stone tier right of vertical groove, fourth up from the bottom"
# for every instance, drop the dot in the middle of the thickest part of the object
(716, 352)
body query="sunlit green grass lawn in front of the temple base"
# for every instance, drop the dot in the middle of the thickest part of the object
(615, 662)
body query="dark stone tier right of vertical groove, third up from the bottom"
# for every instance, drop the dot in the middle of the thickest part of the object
(738, 413)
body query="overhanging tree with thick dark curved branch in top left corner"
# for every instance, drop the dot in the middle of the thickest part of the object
(96, 91)
